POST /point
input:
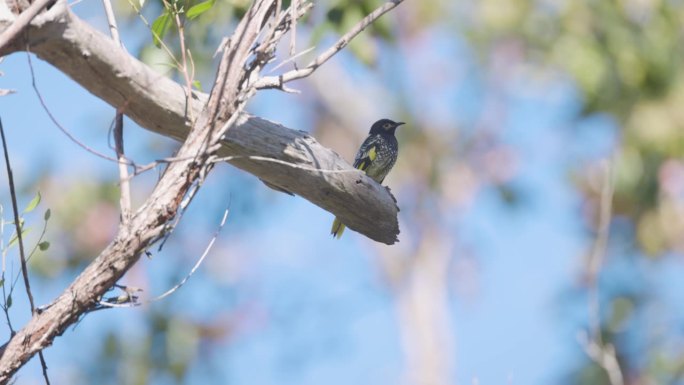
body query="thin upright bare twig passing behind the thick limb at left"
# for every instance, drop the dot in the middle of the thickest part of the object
(124, 180)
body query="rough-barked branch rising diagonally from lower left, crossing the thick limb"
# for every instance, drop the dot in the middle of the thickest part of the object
(151, 222)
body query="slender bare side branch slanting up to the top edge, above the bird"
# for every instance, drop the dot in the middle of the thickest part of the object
(279, 81)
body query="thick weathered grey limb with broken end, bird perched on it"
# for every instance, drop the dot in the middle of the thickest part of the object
(159, 104)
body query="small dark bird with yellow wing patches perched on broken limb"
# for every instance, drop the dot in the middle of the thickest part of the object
(375, 157)
